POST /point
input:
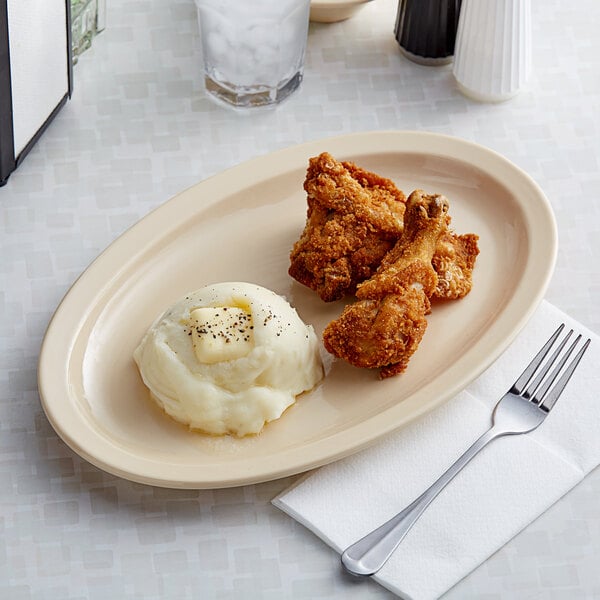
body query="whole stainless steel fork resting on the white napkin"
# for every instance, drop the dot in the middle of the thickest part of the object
(521, 410)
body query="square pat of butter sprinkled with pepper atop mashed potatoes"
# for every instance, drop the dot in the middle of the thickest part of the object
(221, 333)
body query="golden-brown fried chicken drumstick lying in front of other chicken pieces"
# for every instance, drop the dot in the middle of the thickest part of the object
(385, 326)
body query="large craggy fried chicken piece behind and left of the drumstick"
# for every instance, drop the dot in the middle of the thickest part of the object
(354, 218)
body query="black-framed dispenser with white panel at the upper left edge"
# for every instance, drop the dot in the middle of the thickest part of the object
(51, 53)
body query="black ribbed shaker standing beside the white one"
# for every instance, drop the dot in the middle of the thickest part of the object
(426, 30)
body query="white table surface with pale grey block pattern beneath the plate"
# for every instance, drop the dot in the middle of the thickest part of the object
(137, 131)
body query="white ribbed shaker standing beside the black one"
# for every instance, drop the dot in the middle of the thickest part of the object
(492, 56)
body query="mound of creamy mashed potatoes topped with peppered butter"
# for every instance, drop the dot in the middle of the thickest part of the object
(229, 358)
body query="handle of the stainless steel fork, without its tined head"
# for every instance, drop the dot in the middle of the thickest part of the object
(371, 552)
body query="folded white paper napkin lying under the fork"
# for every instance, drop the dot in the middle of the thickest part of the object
(508, 485)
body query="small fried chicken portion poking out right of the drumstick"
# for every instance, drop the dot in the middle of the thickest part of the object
(453, 262)
